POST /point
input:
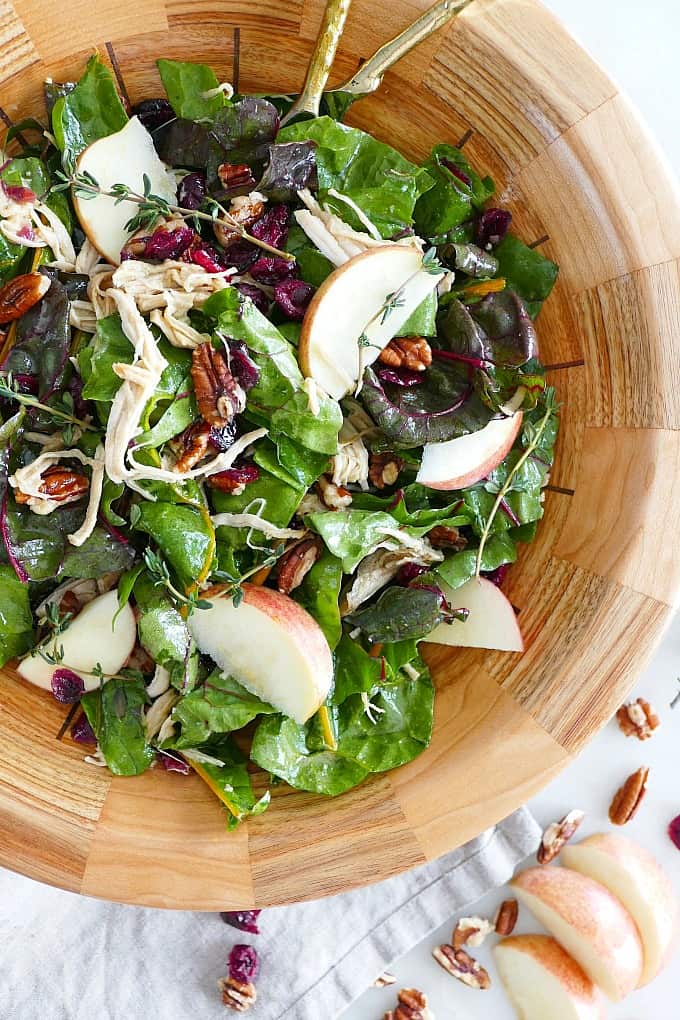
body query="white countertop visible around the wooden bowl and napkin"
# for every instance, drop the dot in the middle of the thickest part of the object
(638, 44)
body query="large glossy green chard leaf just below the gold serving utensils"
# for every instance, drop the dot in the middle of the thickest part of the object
(382, 182)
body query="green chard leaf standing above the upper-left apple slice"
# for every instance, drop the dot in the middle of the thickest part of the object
(92, 111)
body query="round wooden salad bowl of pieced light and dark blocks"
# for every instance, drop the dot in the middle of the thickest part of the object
(595, 590)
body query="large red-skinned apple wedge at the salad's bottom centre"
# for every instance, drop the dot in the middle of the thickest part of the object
(271, 645)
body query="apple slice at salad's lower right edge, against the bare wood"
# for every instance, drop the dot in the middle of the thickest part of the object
(492, 624)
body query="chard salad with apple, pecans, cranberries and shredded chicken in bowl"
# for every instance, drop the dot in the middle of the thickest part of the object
(273, 414)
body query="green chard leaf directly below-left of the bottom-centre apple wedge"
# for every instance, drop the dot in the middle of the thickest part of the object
(220, 705)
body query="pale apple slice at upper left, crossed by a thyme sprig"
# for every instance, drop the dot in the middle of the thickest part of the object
(125, 158)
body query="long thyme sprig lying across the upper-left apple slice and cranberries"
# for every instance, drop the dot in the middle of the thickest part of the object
(153, 208)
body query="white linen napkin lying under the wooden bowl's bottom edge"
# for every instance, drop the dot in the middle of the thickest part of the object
(72, 958)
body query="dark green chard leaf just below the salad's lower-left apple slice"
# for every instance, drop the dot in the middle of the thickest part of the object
(115, 712)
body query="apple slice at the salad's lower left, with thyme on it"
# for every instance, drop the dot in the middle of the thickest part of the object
(90, 639)
